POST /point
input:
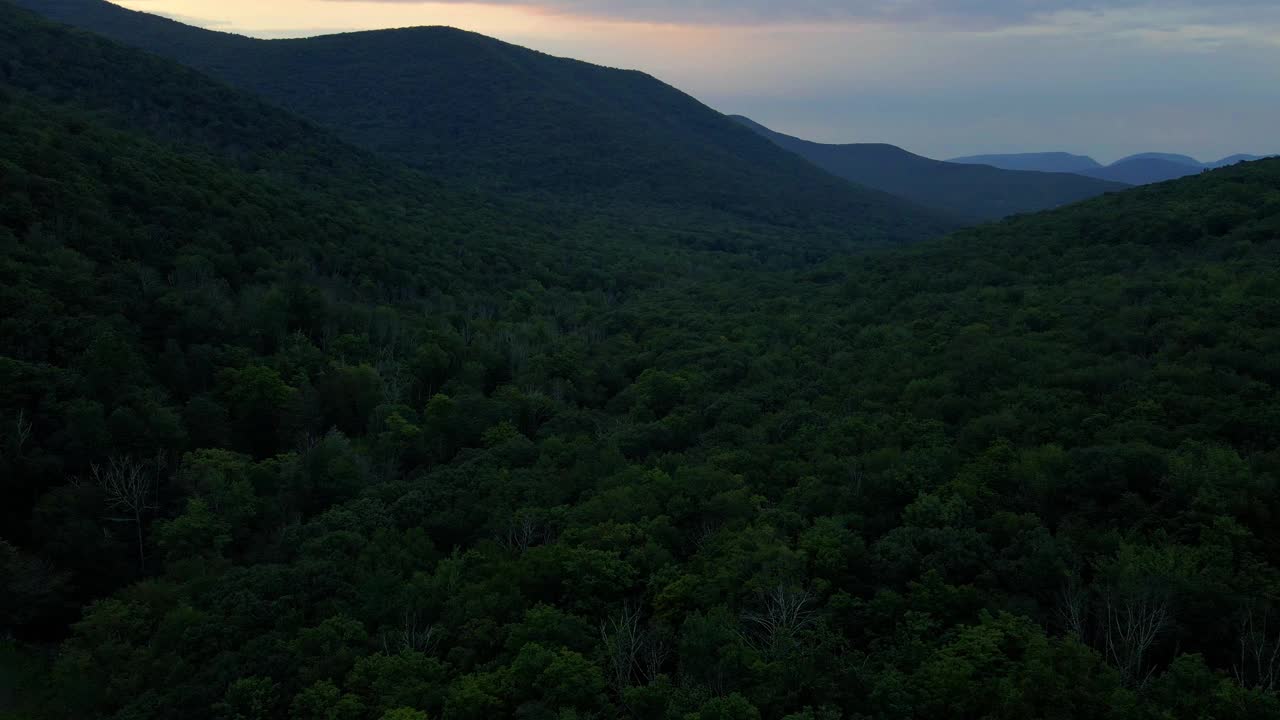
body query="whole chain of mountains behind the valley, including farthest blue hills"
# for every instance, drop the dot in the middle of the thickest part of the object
(495, 117)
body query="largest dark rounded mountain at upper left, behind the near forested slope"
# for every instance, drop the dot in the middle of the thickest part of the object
(502, 119)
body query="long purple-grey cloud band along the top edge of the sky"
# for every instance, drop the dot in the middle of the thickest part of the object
(956, 15)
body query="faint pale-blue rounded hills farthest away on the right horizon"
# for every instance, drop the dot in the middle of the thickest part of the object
(1144, 168)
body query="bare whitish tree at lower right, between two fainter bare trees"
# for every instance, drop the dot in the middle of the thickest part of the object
(1135, 622)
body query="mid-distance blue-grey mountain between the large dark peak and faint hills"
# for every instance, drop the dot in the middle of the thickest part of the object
(967, 192)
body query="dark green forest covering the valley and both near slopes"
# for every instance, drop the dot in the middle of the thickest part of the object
(289, 430)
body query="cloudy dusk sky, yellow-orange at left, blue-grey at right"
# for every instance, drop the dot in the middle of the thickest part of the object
(940, 78)
